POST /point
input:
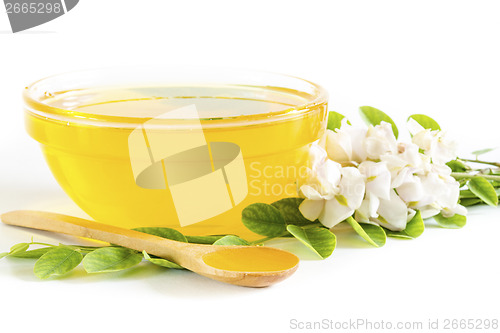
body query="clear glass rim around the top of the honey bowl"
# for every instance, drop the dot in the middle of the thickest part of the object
(38, 108)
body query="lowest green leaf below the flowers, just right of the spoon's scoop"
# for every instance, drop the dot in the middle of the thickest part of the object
(322, 241)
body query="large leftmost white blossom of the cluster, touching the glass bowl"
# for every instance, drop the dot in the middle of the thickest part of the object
(332, 193)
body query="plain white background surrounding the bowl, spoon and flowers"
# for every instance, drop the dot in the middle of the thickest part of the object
(435, 57)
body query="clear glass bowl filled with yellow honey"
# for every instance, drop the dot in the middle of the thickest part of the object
(241, 145)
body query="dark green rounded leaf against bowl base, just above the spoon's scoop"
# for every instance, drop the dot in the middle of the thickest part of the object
(264, 220)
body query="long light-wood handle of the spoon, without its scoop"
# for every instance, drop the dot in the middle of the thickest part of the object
(84, 228)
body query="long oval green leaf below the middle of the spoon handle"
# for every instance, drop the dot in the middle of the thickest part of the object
(110, 259)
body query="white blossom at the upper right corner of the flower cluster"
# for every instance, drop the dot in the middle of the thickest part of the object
(434, 143)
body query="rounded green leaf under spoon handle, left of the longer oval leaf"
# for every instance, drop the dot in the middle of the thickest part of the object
(57, 261)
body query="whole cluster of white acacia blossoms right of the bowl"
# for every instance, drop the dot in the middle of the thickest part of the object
(366, 173)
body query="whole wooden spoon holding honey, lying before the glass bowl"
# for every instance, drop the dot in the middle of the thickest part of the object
(249, 266)
